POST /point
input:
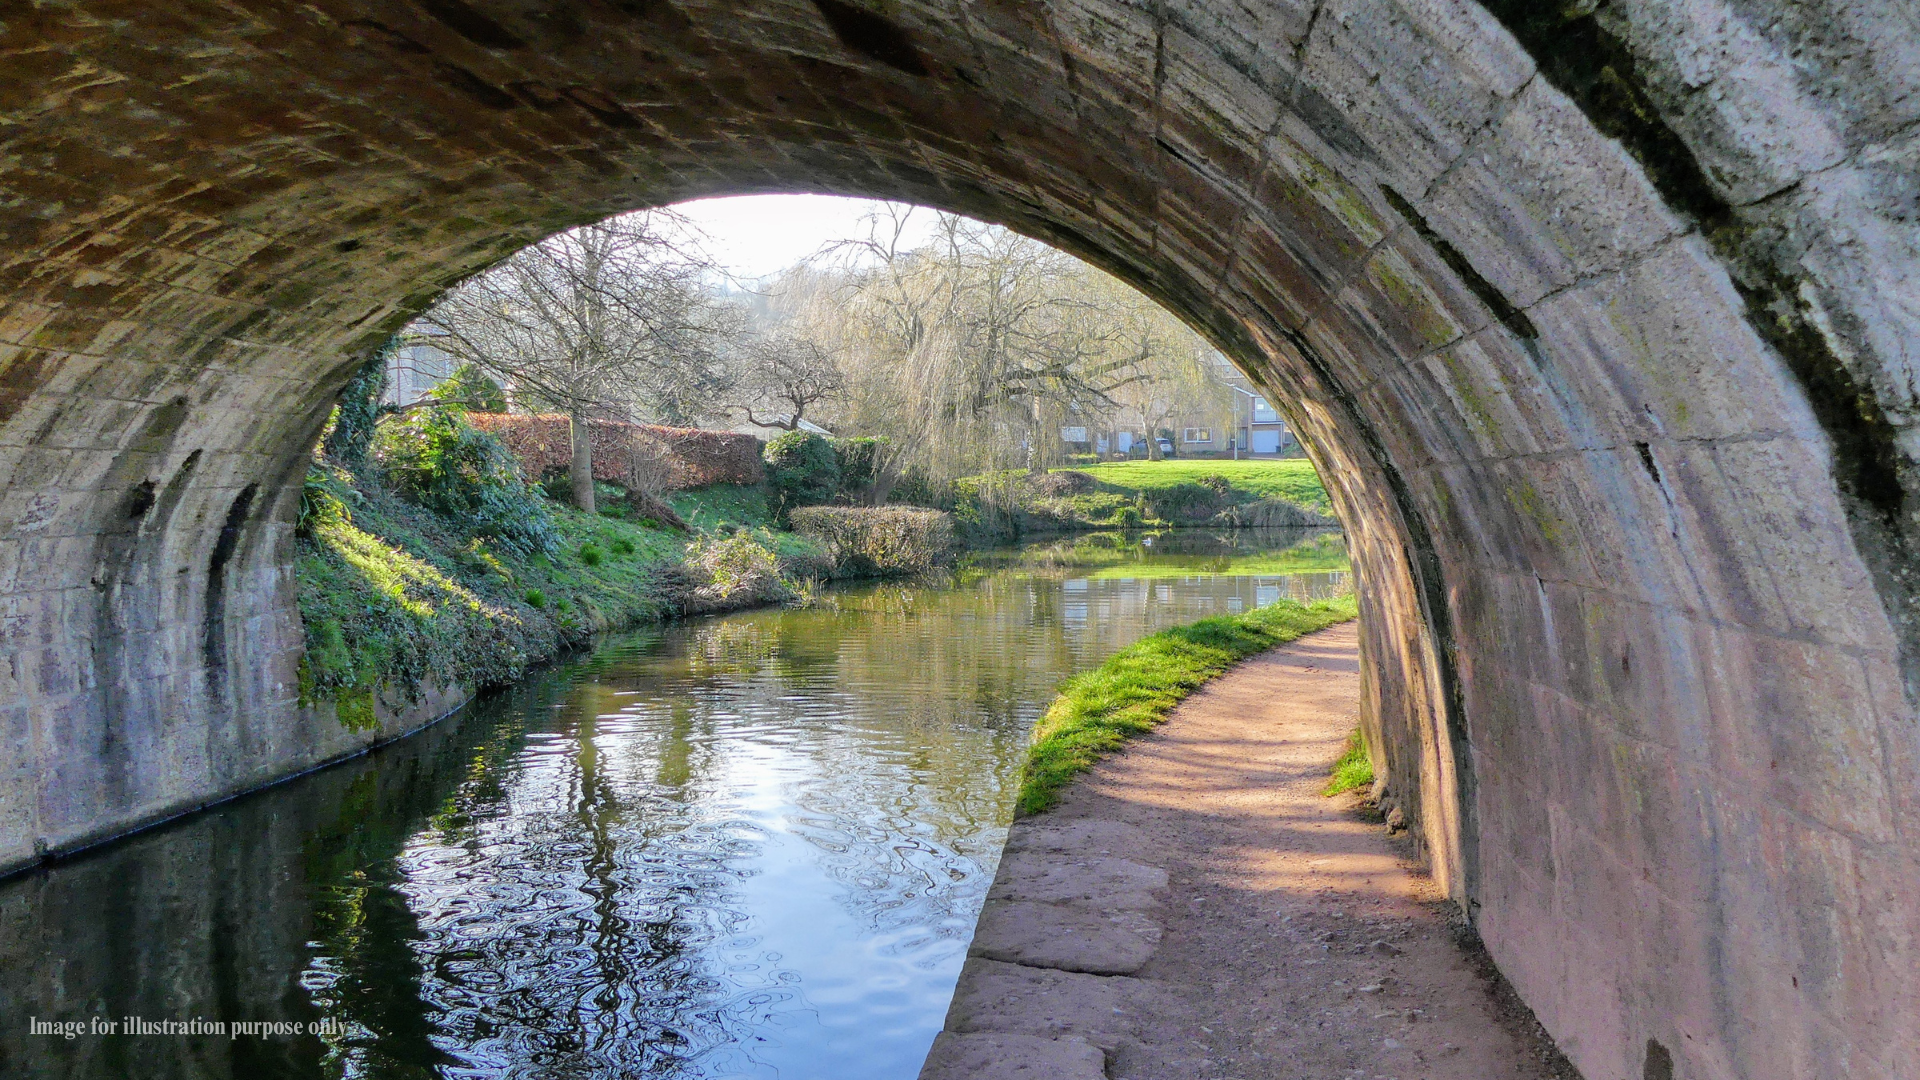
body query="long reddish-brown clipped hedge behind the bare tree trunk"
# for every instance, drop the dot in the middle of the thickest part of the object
(671, 456)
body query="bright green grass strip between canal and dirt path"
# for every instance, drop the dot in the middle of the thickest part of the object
(1138, 687)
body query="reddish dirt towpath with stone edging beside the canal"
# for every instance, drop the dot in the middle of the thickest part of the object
(1195, 910)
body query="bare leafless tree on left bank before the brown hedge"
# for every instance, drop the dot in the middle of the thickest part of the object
(612, 318)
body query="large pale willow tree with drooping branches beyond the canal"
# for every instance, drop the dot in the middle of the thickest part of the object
(971, 351)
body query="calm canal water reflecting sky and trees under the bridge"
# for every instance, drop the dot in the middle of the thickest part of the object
(738, 847)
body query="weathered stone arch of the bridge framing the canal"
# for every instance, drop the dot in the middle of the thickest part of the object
(1598, 322)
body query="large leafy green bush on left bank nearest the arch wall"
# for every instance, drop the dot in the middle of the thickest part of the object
(444, 464)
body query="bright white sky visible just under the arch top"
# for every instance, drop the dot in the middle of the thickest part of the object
(767, 233)
